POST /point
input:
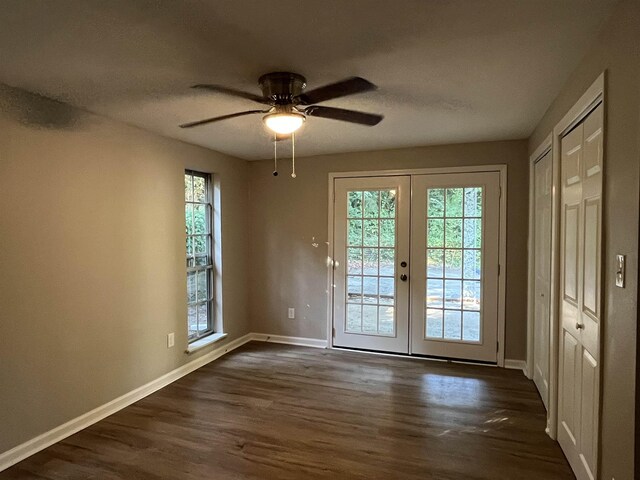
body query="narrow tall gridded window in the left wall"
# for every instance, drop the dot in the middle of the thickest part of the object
(198, 208)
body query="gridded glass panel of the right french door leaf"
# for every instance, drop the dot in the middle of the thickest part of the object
(454, 264)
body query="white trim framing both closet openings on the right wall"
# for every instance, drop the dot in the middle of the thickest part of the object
(594, 94)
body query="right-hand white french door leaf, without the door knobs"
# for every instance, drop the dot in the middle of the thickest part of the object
(456, 231)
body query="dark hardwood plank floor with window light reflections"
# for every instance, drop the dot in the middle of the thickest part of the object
(269, 411)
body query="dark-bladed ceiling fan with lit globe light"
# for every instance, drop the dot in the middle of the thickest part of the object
(289, 104)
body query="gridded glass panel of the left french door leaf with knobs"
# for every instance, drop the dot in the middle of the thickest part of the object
(371, 257)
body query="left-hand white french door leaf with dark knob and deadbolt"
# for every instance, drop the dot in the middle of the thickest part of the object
(371, 231)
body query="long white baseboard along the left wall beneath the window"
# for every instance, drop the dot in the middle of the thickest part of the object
(28, 448)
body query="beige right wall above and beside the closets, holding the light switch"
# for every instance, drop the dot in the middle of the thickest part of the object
(617, 50)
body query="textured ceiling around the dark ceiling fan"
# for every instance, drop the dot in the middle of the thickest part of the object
(449, 71)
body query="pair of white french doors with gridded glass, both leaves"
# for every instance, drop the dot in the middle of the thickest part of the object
(416, 264)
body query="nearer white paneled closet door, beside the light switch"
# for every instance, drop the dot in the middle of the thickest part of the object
(581, 218)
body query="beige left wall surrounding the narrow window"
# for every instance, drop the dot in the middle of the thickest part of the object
(92, 259)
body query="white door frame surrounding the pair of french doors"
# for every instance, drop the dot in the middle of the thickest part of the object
(502, 169)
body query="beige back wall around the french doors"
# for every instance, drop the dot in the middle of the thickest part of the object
(289, 232)
